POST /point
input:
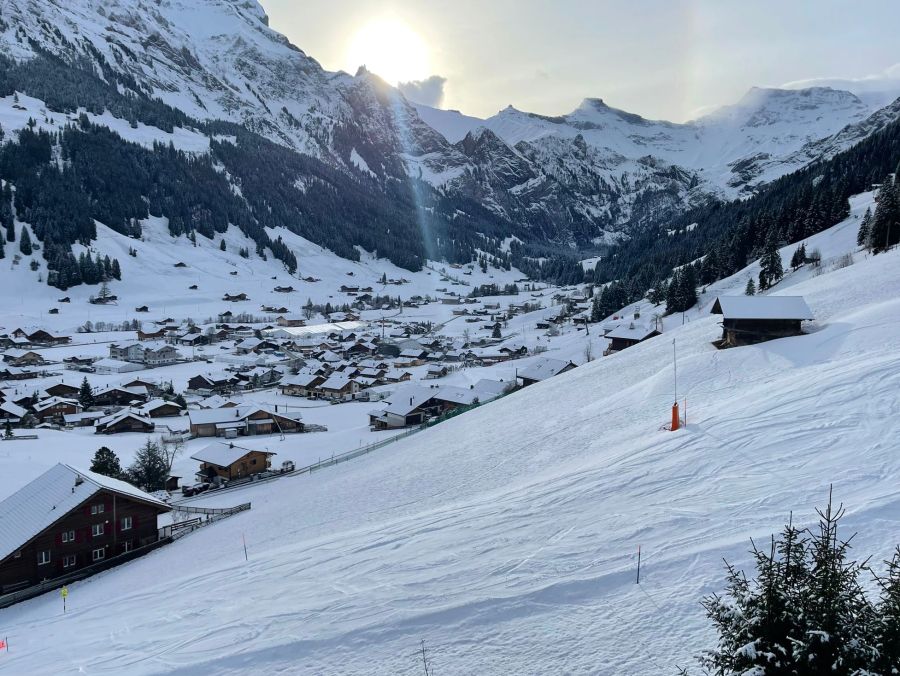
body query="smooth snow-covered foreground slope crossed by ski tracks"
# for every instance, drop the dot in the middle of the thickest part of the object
(506, 538)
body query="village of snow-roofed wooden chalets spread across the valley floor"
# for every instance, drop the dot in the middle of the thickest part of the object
(263, 389)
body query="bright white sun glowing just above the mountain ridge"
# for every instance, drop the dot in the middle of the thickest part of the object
(391, 50)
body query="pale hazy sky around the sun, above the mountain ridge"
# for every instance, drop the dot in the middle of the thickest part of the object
(666, 59)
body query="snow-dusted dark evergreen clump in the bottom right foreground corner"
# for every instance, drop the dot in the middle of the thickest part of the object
(805, 614)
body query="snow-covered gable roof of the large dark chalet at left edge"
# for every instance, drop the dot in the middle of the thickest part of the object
(36, 506)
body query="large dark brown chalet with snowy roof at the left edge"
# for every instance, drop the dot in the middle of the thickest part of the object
(66, 520)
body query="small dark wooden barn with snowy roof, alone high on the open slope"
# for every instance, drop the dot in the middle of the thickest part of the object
(754, 319)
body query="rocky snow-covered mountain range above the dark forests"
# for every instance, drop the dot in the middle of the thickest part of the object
(579, 179)
